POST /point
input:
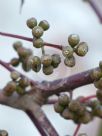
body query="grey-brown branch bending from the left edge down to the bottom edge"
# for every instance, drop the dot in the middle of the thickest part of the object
(28, 104)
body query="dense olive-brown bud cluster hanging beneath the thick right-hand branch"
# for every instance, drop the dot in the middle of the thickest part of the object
(76, 110)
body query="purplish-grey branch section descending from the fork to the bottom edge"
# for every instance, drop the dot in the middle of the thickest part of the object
(38, 116)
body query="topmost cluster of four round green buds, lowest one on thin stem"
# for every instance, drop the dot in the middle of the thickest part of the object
(37, 31)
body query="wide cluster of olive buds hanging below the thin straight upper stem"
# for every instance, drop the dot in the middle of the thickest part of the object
(30, 62)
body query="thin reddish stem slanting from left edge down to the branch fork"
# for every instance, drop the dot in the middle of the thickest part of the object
(7, 66)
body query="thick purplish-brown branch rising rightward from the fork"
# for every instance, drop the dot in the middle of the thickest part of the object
(66, 84)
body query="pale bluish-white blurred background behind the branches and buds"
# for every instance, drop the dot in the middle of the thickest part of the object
(65, 17)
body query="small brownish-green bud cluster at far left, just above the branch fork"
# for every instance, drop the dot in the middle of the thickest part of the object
(18, 84)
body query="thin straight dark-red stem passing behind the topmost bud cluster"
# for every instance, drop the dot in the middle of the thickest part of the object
(30, 40)
